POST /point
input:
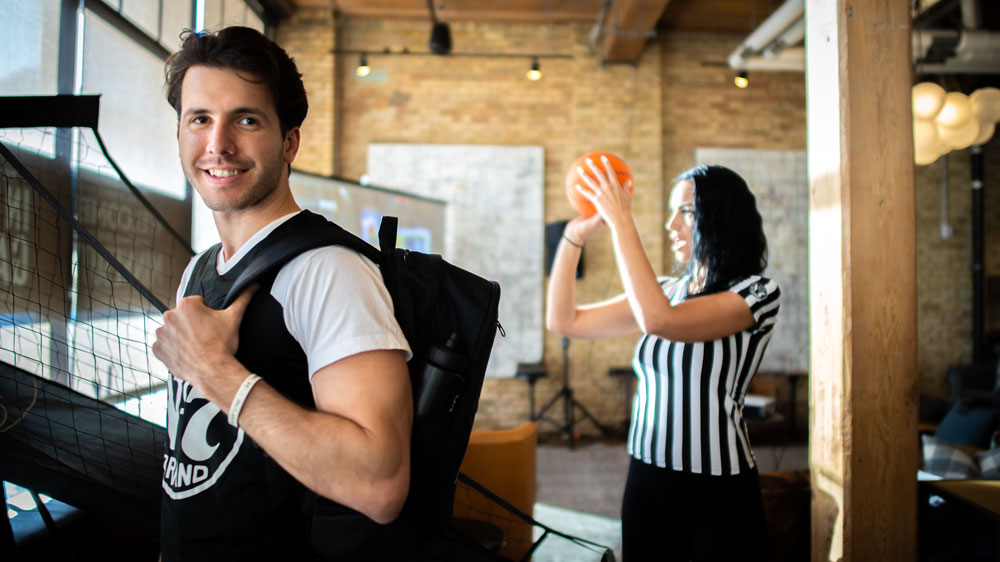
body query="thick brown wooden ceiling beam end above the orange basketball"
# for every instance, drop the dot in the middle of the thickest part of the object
(627, 30)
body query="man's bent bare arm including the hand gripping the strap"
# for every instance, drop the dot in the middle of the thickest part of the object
(354, 449)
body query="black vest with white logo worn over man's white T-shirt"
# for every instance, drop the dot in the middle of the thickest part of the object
(254, 510)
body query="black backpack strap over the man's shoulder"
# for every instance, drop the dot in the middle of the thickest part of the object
(303, 232)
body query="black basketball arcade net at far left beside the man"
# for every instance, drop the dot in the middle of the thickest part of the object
(86, 269)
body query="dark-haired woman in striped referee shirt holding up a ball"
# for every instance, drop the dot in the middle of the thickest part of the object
(692, 490)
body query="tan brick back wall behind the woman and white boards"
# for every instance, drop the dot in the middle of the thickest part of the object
(654, 114)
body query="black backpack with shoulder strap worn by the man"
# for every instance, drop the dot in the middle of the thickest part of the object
(449, 318)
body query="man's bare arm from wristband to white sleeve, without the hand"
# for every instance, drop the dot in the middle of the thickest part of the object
(355, 449)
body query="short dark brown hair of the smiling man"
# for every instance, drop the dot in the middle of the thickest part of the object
(250, 54)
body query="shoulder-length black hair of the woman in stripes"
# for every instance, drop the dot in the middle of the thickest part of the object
(728, 241)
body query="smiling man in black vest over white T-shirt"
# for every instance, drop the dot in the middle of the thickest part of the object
(311, 460)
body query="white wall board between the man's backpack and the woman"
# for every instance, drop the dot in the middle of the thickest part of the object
(494, 225)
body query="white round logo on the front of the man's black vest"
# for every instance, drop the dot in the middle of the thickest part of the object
(206, 446)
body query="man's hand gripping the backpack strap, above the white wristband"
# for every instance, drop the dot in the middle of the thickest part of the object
(196, 341)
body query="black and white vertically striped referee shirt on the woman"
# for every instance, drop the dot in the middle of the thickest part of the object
(687, 413)
